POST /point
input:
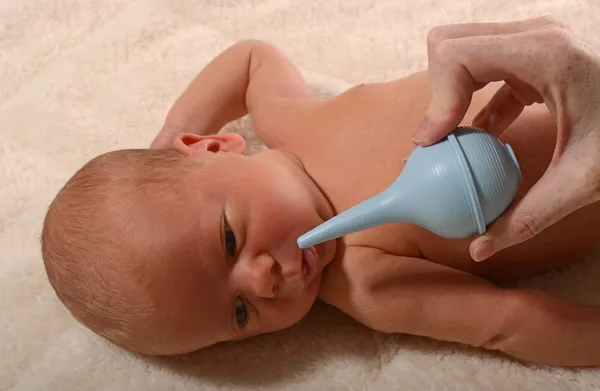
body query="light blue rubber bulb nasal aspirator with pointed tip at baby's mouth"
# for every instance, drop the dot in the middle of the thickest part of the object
(454, 188)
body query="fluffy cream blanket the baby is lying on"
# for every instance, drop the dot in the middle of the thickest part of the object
(80, 77)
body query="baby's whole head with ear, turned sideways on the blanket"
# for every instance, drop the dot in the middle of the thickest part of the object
(168, 251)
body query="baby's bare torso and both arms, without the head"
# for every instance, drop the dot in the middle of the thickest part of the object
(401, 278)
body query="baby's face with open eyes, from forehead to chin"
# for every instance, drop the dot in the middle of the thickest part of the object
(237, 270)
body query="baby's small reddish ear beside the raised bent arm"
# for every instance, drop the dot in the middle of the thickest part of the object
(193, 145)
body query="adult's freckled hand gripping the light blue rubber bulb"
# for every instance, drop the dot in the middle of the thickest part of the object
(539, 60)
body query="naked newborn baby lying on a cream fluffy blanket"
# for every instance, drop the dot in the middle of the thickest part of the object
(193, 242)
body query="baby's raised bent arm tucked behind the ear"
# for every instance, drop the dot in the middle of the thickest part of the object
(246, 77)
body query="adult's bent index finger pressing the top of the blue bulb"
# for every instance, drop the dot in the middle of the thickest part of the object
(461, 66)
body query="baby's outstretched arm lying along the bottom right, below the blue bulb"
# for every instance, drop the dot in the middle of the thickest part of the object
(408, 295)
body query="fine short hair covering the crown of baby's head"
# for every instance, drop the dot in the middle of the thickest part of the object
(99, 229)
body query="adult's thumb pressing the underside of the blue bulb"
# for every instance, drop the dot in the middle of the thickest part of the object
(558, 193)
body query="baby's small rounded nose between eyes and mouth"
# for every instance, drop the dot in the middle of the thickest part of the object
(263, 276)
